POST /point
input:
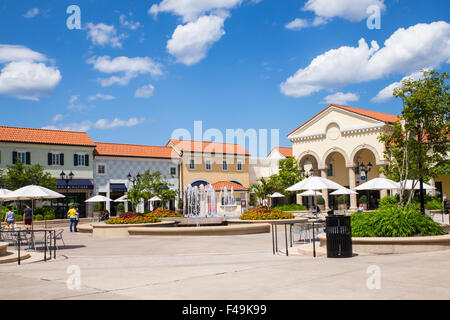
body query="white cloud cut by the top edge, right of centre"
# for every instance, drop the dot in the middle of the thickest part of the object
(352, 10)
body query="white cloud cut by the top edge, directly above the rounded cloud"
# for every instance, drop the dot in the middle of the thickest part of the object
(191, 10)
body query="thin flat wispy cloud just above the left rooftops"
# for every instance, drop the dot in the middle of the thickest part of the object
(99, 124)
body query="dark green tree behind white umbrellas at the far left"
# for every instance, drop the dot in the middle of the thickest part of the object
(20, 175)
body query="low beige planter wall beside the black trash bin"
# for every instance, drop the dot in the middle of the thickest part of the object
(390, 245)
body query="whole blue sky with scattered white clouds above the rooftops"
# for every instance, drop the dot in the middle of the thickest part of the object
(137, 70)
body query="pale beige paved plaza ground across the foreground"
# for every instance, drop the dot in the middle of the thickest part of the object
(227, 267)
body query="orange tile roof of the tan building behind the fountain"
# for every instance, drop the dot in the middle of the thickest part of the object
(206, 146)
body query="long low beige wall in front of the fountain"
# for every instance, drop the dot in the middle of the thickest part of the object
(200, 231)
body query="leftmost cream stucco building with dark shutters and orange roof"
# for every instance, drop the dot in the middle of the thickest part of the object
(57, 151)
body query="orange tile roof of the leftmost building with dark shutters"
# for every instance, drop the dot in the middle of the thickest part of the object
(45, 136)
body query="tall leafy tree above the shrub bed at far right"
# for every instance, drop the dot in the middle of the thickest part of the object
(416, 146)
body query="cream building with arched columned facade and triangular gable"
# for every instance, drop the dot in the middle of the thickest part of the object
(337, 143)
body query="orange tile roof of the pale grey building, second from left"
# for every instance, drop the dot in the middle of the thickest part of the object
(131, 150)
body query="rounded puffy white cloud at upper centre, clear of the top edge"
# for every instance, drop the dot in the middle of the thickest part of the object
(190, 42)
